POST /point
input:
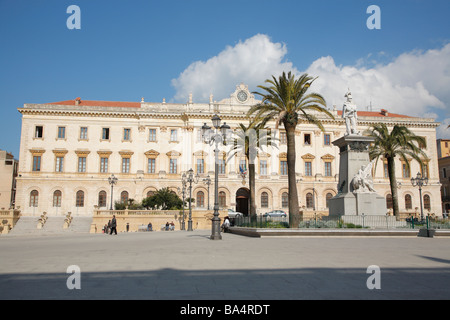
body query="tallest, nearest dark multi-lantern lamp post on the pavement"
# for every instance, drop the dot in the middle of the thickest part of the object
(220, 134)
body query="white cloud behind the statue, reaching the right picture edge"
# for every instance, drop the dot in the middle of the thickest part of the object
(409, 85)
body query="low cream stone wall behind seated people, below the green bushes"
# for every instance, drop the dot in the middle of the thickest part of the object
(201, 219)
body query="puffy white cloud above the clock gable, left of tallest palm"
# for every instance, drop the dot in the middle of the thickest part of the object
(250, 62)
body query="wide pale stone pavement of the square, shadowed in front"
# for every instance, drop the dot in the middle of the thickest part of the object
(183, 265)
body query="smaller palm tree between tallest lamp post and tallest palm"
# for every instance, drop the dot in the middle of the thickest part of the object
(248, 140)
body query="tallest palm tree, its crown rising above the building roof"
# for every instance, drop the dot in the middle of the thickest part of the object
(286, 100)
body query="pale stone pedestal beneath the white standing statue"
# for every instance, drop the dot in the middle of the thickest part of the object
(354, 154)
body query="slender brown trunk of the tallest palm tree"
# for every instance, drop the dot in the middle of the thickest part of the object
(294, 215)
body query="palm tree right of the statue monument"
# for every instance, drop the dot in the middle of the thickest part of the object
(399, 142)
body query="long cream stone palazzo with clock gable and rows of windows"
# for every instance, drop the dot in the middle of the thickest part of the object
(70, 148)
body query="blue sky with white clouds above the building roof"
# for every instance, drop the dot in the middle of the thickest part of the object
(126, 50)
